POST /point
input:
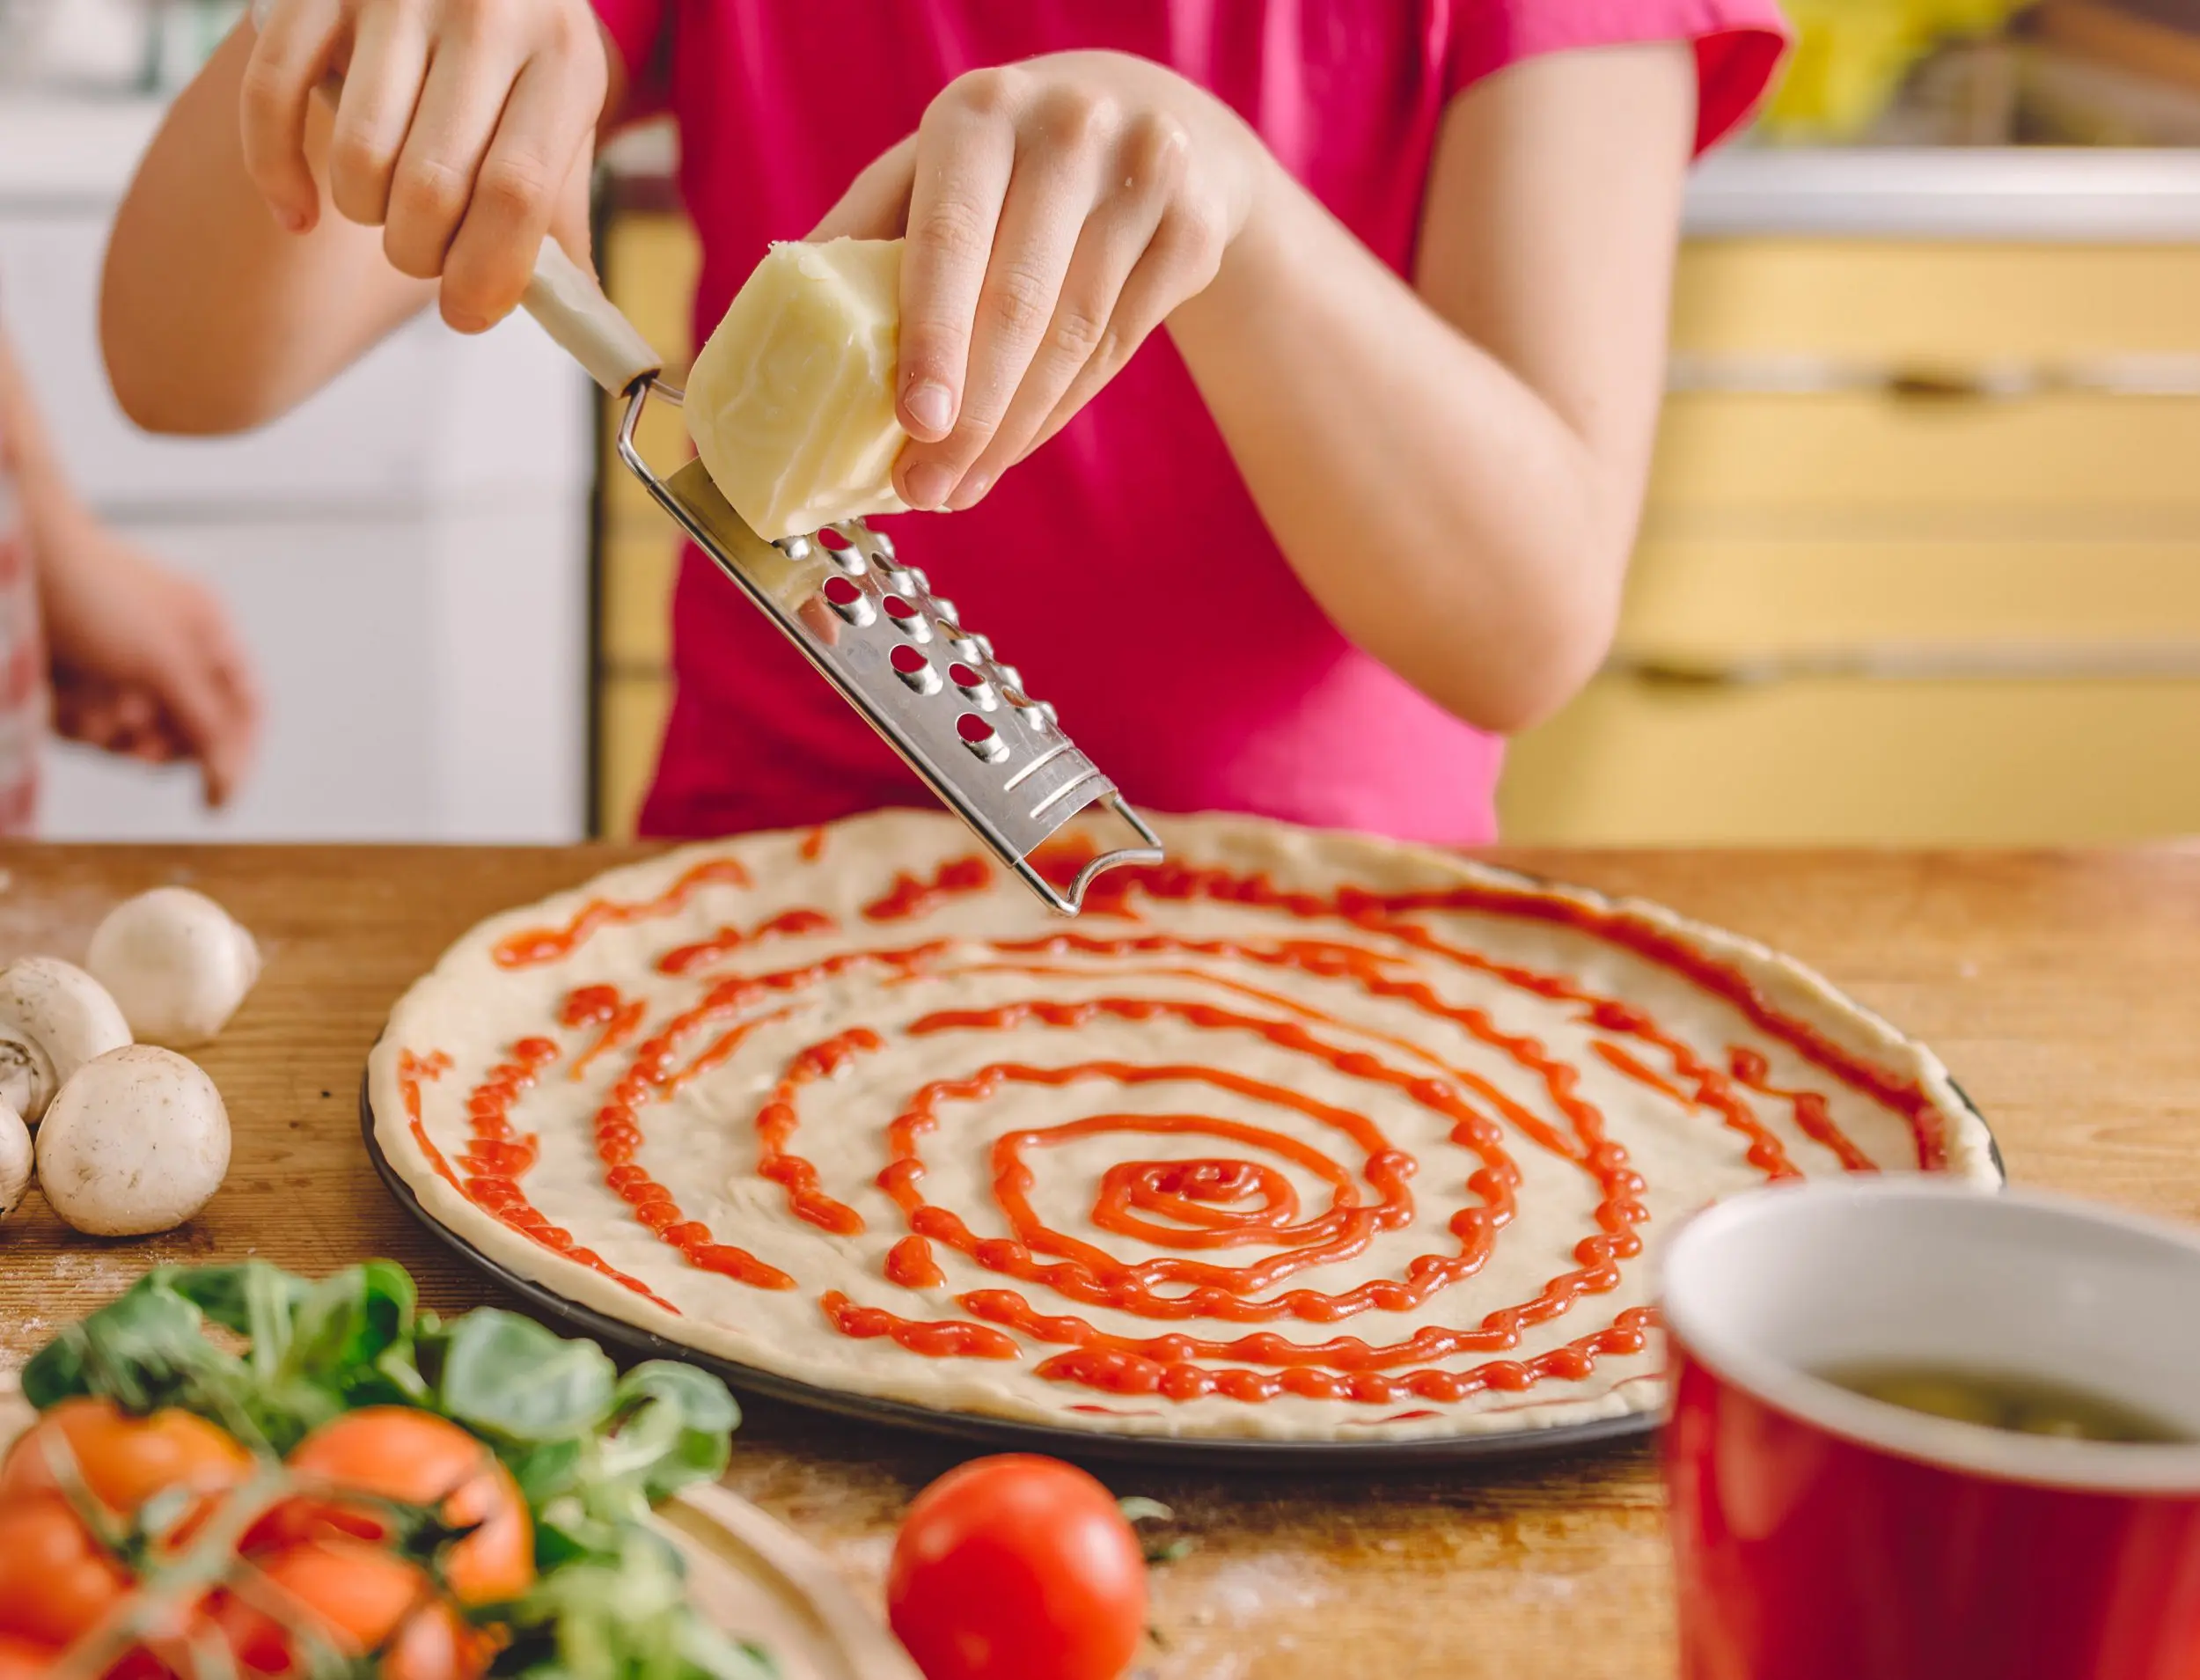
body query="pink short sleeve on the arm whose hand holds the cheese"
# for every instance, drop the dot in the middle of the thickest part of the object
(1739, 45)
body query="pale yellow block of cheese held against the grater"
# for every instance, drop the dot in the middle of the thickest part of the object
(791, 401)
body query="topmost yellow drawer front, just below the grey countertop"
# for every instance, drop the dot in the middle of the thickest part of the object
(1935, 302)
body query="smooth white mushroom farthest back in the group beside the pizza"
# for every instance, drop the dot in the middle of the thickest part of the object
(177, 962)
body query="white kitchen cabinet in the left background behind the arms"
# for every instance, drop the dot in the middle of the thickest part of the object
(406, 555)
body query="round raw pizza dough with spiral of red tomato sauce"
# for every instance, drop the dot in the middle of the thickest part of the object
(1303, 1136)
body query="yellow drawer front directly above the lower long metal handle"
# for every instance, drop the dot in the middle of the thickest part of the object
(1739, 599)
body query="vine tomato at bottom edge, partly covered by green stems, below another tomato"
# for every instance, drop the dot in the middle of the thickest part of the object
(362, 1600)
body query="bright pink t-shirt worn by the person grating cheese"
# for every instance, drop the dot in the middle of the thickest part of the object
(1123, 568)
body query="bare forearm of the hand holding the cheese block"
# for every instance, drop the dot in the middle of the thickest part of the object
(1438, 509)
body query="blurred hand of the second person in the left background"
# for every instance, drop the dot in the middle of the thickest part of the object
(144, 661)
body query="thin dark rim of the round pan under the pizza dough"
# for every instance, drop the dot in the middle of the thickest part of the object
(1000, 1435)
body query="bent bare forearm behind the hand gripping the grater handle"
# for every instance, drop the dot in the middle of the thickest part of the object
(212, 316)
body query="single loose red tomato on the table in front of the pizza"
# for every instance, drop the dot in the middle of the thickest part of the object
(1017, 1569)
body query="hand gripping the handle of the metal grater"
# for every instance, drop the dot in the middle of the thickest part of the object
(465, 131)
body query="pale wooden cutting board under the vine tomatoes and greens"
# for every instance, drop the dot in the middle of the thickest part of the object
(756, 1578)
